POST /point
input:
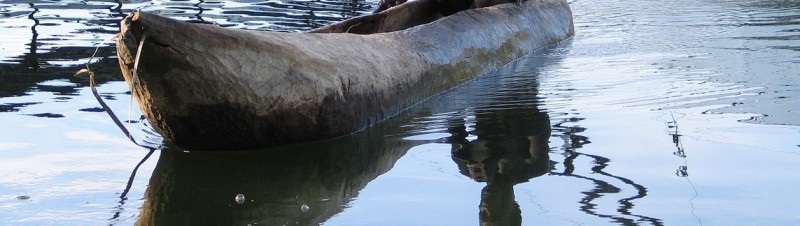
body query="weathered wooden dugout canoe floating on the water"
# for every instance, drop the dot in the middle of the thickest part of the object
(204, 87)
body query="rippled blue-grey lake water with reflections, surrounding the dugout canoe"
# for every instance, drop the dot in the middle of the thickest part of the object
(679, 112)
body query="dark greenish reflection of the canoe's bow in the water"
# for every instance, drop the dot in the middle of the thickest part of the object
(302, 184)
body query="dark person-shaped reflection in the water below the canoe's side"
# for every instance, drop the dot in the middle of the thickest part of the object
(510, 148)
